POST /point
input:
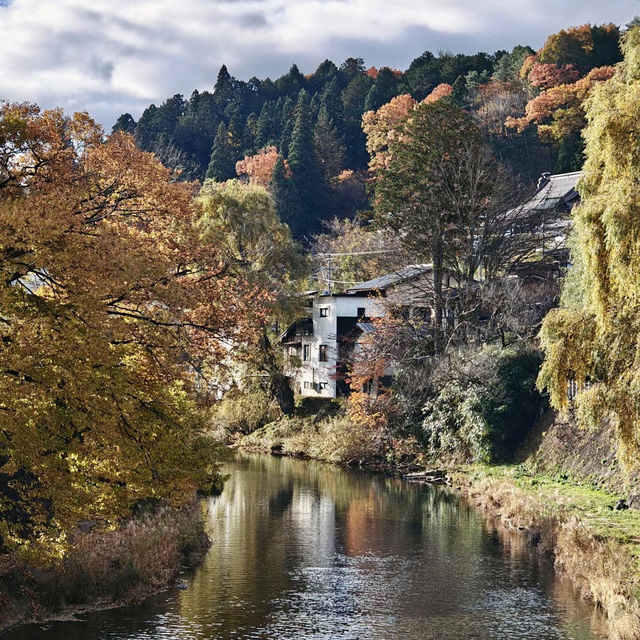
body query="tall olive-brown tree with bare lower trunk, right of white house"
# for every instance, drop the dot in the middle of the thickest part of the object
(417, 192)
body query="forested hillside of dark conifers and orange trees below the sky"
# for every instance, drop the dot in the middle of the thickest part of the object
(302, 135)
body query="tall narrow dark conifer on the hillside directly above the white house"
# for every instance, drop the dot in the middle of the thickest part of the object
(307, 174)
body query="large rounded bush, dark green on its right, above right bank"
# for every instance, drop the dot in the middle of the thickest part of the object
(484, 405)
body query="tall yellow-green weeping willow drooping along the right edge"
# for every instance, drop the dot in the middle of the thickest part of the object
(595, 334)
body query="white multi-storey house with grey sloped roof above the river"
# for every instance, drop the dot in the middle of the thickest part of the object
(319, 345)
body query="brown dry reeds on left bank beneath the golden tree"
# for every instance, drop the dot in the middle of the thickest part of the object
(104, 569)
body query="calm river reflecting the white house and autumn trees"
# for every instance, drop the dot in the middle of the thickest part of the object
(303, 550)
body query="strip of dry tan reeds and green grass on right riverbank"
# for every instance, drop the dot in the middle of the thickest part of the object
(591, 544)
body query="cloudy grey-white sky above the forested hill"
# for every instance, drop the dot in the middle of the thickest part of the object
(111, 56)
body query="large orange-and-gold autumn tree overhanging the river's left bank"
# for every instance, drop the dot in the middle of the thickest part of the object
(113, 313)
